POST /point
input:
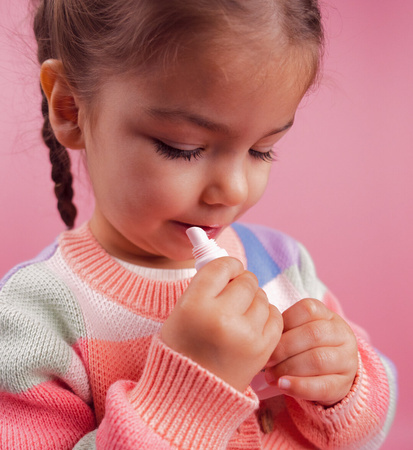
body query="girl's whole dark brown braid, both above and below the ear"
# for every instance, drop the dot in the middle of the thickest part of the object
(59, 156)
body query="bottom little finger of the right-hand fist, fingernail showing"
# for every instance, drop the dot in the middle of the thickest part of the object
(326, 389)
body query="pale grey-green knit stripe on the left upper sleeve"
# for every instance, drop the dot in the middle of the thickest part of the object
(37, 330)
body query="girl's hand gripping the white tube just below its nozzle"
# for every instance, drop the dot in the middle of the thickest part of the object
(224, 322)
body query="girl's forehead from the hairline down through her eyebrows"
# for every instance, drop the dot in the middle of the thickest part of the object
(234, 94)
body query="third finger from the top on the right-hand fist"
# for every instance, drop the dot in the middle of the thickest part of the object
(317, 361)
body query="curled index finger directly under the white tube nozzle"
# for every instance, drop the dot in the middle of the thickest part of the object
(213, 278)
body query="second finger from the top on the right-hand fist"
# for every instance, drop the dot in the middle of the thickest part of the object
(318, 333)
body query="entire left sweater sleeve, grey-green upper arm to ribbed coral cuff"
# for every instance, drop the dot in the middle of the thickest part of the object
(46, 399)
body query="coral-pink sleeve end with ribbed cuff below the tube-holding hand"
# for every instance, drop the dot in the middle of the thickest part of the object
(185, 405)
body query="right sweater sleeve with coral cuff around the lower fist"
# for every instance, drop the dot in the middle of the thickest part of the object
(364, 416)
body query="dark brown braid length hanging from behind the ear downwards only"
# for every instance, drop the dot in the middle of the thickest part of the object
(61, 174)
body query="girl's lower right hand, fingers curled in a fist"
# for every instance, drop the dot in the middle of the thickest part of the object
(316, 358)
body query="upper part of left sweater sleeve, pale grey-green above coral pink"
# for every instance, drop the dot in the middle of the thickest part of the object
(45, 397)
